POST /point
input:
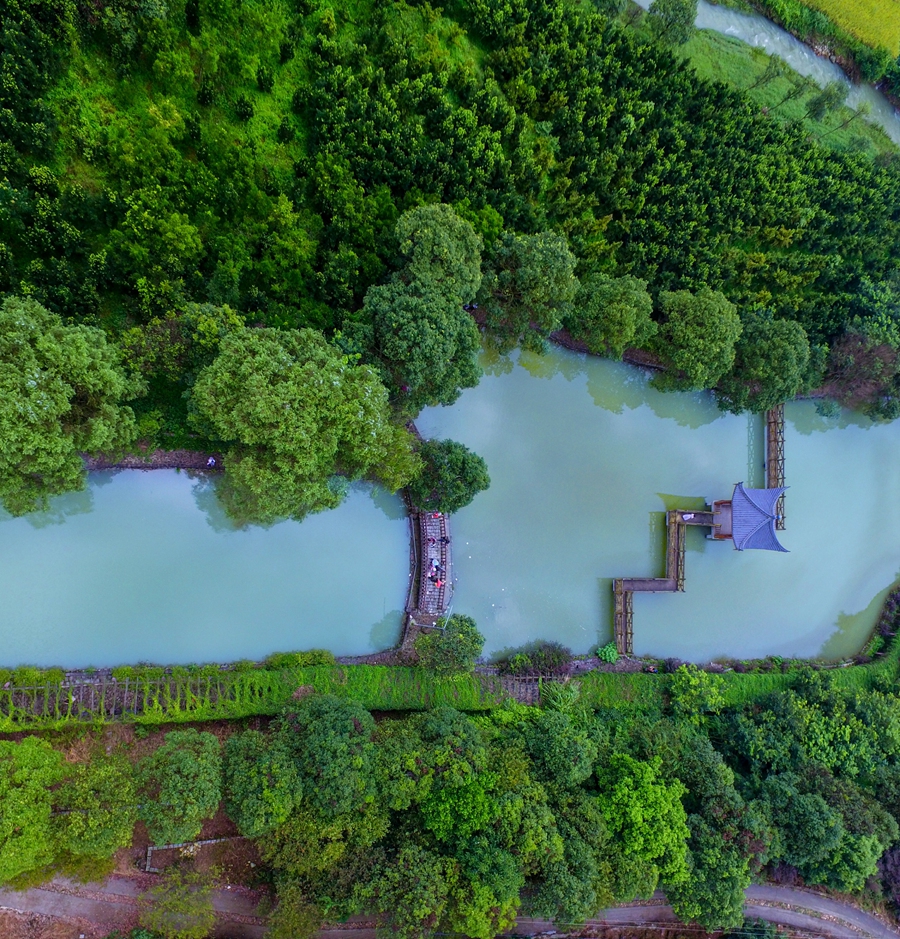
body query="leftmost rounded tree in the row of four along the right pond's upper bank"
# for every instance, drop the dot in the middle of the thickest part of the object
(528, 286)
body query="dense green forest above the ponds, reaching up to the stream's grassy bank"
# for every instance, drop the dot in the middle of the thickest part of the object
(180, 175)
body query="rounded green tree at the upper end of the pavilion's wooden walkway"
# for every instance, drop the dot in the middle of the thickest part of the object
(771, 363)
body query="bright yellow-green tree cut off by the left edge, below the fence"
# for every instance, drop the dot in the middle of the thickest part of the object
(28, 770)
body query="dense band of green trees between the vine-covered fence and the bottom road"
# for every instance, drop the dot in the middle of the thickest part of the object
(446, 821)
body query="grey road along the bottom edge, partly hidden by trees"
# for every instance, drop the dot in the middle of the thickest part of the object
(114, 903)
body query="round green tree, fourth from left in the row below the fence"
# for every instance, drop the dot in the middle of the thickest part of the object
(262, 786)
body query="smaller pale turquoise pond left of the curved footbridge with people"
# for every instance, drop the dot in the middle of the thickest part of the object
(144, 567)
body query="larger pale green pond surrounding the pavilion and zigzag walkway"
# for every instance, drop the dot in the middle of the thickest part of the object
(585, 458)
